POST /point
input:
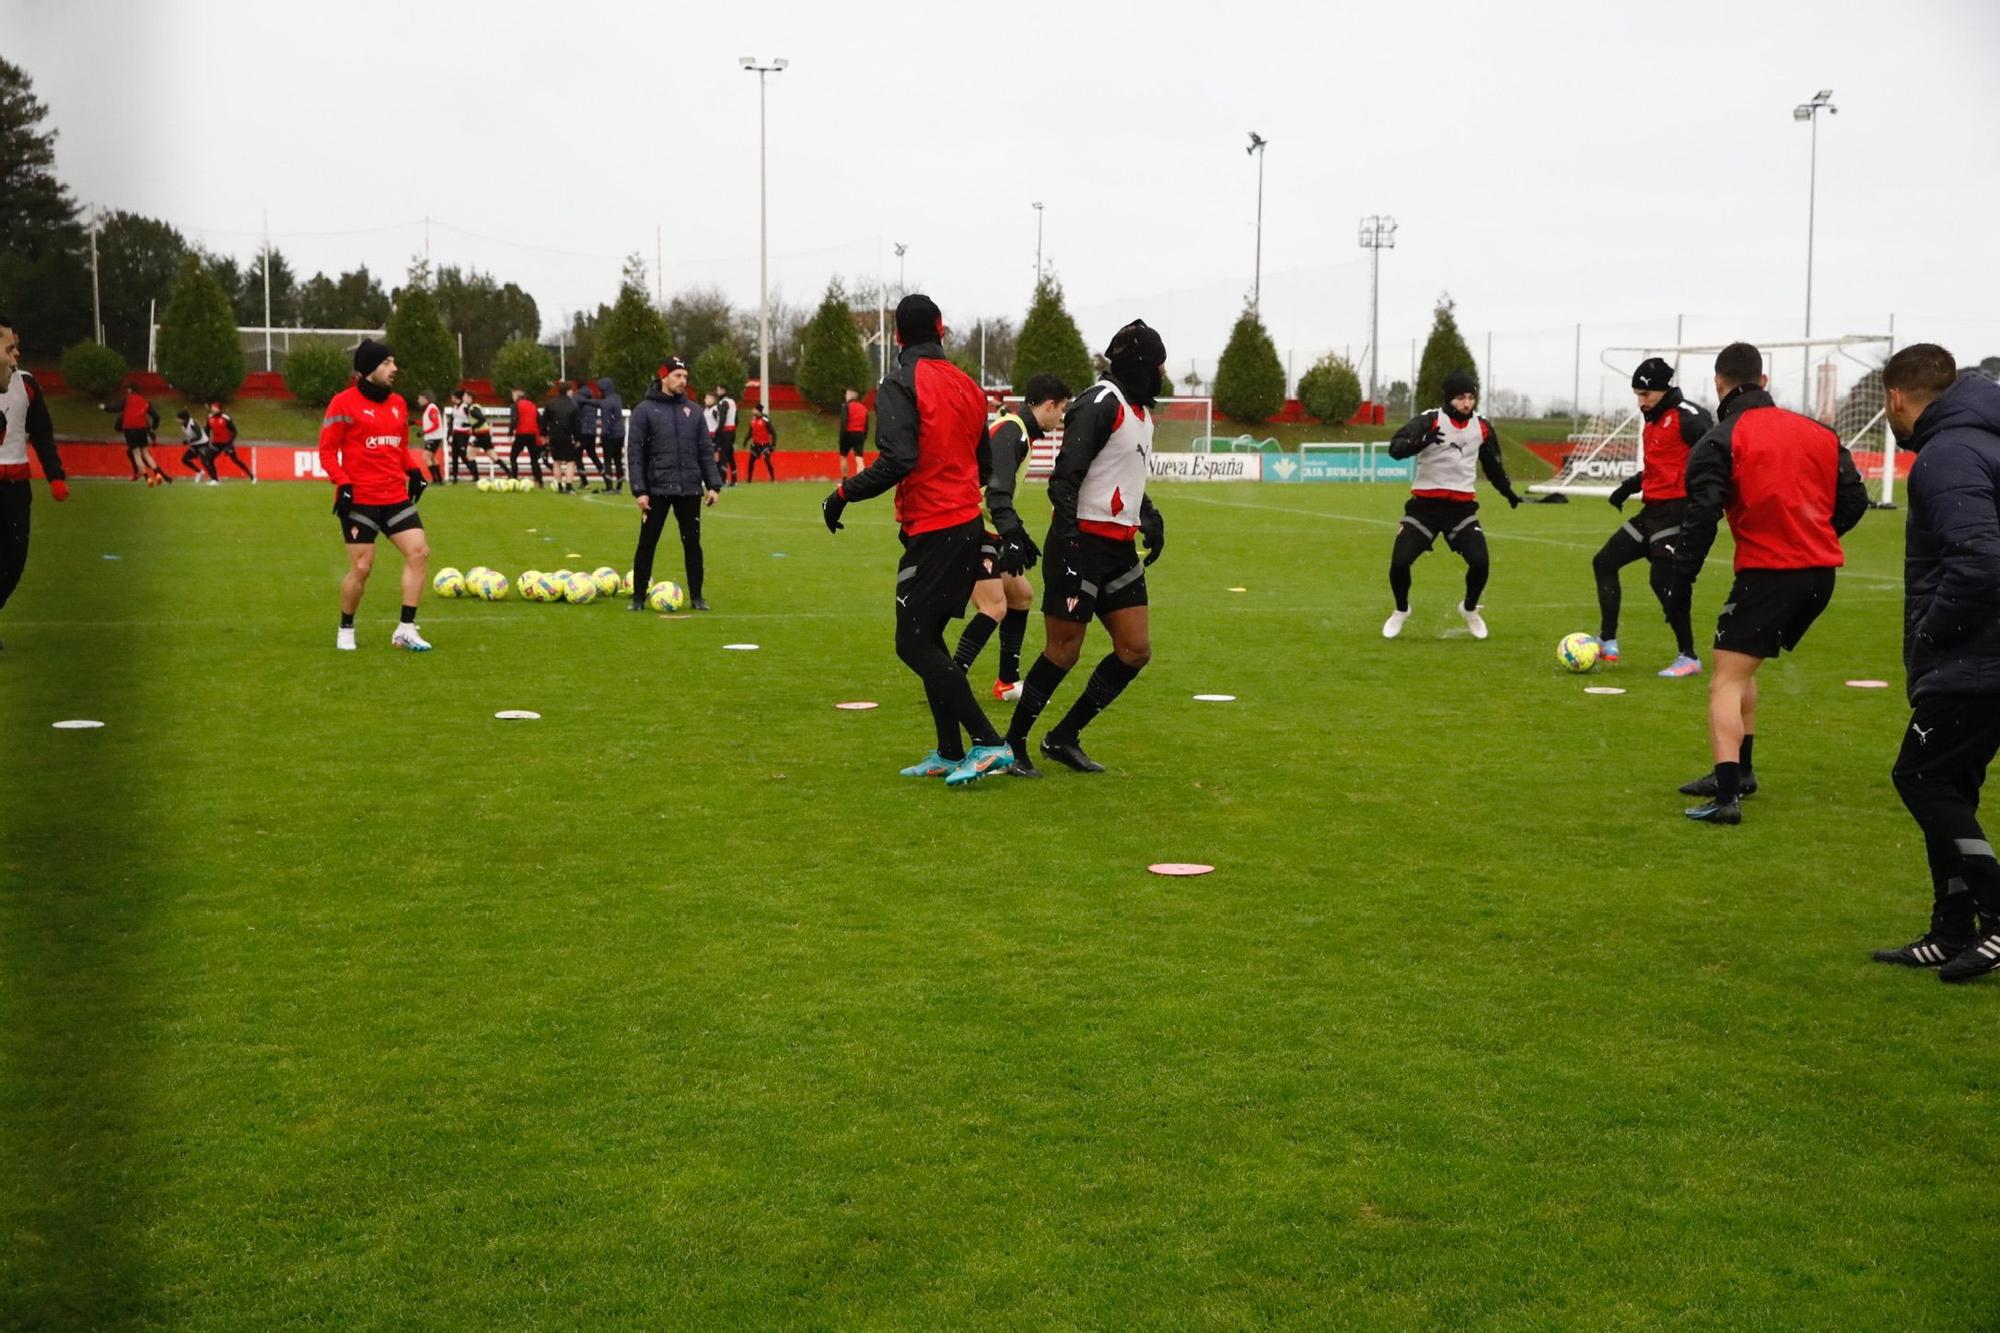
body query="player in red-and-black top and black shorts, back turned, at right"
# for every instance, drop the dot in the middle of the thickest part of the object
(1791, 489)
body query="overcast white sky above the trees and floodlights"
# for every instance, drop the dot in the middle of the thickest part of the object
(1549, 163)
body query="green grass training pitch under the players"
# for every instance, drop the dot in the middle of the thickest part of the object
(333, 1002)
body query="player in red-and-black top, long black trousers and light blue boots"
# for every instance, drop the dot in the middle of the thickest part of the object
(931, 433)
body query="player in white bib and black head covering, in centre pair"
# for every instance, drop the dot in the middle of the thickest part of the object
(1093, 565)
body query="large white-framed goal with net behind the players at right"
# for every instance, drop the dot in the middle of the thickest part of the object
(1849, 397)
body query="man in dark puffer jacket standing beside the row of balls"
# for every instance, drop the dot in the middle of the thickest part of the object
(673, 465)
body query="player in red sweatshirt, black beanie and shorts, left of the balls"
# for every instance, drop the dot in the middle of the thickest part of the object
(365, 449)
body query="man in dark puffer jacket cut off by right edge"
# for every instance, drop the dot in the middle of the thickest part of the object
(1951, 649)
